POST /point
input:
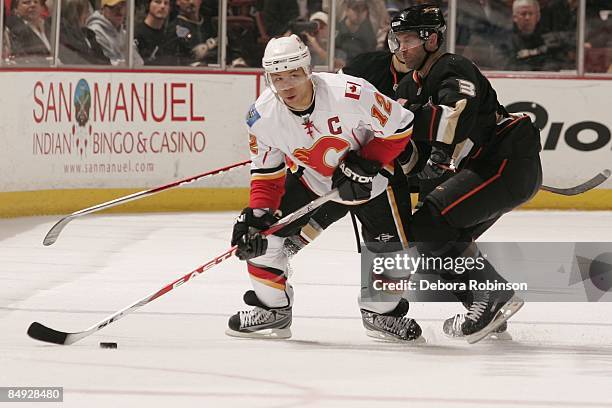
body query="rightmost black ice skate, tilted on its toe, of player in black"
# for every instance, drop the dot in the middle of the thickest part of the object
(488, 311)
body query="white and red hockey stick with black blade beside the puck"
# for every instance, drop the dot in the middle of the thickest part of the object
(43, 333)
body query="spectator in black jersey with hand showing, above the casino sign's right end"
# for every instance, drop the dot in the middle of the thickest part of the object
(190, 39)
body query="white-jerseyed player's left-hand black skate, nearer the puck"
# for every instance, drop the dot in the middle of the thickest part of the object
(261, 322)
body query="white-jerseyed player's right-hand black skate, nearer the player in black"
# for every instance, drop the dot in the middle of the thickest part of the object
(392, 326)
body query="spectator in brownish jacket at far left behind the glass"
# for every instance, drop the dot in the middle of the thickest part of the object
(27, 32)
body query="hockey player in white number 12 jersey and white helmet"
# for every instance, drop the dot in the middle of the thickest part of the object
(332, 131)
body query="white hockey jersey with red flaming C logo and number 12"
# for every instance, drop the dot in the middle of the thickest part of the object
(349, 114)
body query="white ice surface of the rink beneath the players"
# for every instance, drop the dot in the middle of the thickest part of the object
(174, 353)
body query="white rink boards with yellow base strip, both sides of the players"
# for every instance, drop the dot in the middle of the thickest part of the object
(75, 138)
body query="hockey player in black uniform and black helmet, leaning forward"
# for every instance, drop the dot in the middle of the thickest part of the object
(494, 157)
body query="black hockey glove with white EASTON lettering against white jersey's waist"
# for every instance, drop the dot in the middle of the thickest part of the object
(353, 177)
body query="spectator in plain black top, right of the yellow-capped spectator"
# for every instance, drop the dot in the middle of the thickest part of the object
(149, 34)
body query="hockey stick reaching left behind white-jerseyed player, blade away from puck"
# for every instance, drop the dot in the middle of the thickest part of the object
(54, 232)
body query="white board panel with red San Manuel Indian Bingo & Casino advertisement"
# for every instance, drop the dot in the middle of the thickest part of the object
(83, 130)
